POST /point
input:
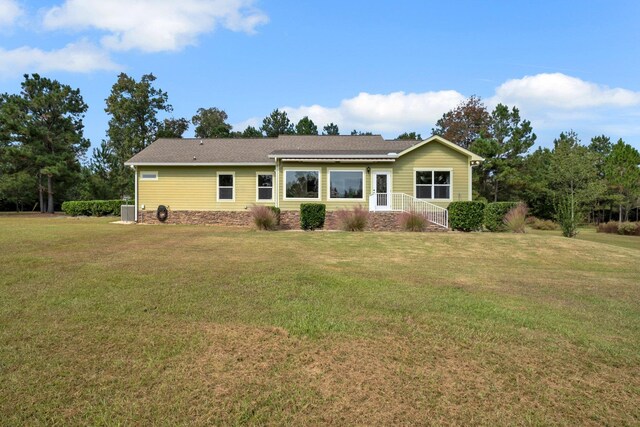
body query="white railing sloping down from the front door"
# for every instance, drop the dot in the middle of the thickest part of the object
(401, 202)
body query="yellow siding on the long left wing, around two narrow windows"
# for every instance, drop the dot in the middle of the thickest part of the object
(195, 188)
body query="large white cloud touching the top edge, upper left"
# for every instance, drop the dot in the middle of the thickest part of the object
(154, 25)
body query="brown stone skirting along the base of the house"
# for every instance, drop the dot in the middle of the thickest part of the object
(289, 220)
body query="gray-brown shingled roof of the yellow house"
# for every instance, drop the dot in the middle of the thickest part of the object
(257, 150)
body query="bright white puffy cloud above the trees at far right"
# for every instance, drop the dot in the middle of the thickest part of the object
(560, 91)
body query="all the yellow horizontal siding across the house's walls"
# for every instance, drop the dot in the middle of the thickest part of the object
(195, 188)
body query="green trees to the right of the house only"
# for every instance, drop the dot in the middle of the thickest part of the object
(594, 182)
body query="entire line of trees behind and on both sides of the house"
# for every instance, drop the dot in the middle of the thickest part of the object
(43, 152)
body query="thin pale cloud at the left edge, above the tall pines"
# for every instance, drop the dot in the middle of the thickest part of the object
(80, 57)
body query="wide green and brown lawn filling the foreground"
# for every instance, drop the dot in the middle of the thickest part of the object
(109, 324)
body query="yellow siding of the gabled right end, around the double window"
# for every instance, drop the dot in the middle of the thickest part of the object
(433, 155)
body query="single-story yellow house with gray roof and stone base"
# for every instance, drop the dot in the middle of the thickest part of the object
(218, 180)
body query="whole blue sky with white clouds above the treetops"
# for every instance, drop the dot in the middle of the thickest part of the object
(380, 66)
